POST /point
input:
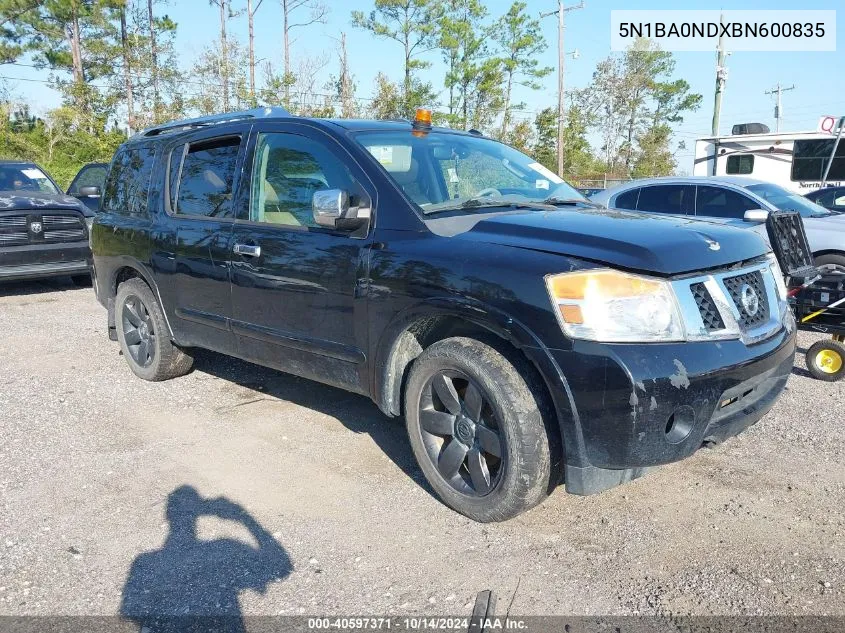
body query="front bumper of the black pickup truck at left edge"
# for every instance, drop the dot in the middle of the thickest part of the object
(36, 261)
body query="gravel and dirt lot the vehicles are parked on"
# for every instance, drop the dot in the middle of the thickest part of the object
(338, 514)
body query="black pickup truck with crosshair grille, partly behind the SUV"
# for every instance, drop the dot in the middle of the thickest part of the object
(43, 233)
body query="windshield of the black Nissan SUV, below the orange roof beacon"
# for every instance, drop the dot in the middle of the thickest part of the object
(441, 171)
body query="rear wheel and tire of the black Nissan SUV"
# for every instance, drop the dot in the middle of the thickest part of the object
(139, 320)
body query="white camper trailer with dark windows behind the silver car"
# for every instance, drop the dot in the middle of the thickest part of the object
(796, 160)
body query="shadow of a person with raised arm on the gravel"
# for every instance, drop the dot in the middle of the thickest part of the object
(193, 585)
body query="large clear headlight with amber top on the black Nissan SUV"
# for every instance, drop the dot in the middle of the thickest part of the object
(615, 307)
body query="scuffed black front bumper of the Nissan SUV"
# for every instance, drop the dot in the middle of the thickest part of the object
(633, 407)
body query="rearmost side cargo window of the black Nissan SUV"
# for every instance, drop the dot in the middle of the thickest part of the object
(128, 182)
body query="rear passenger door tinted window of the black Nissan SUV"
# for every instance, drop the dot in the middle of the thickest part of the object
(207, 177)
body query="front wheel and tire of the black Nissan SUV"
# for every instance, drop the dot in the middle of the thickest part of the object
(456, 446)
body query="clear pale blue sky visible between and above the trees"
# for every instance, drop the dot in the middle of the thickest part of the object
(817, 76)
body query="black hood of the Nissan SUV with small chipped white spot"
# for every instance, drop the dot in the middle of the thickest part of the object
(665, 245)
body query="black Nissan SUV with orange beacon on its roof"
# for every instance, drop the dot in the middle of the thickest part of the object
(524, 333)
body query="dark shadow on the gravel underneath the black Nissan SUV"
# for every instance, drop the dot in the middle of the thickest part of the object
(357, 413)
